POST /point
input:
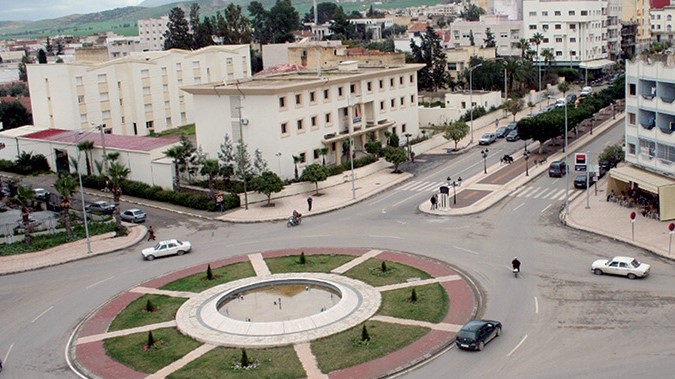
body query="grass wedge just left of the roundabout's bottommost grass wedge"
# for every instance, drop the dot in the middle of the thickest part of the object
(131, 350)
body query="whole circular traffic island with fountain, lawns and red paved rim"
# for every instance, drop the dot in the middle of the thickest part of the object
(317, 313)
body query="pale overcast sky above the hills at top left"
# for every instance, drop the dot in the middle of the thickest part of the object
(45, 9)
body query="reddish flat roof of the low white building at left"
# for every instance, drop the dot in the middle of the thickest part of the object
(112, 141)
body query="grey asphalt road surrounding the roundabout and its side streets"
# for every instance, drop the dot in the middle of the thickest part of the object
(559, 319)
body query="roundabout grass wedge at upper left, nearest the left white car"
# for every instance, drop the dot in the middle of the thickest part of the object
(224, 274)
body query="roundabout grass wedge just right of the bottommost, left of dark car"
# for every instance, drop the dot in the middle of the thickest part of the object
(344, 349)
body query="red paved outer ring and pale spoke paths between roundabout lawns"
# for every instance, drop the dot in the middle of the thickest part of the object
(89, 356)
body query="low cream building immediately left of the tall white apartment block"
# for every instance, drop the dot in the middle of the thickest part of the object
(506, 33)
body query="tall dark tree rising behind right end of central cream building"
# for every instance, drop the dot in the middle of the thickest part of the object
(434, 75)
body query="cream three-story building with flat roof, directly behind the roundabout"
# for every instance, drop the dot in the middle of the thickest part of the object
(304, 113)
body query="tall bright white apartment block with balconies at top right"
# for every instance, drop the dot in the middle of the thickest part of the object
(575, 30)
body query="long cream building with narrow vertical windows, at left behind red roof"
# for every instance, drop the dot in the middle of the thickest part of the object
(134, 95)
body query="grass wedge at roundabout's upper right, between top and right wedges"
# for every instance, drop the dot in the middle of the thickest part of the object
(370, 272)
